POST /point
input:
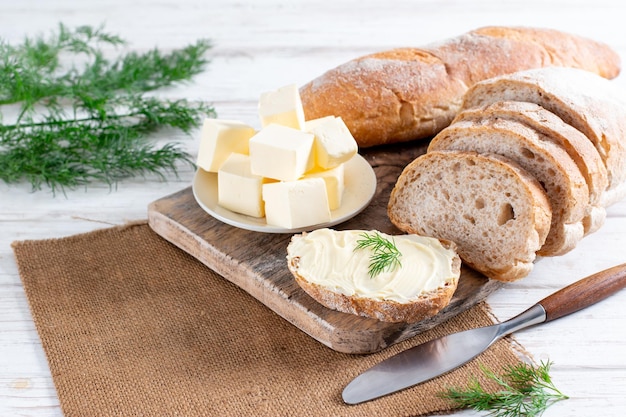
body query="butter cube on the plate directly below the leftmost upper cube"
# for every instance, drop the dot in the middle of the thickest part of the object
(238, 189)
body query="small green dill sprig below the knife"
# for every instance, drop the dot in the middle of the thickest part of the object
(525, 391)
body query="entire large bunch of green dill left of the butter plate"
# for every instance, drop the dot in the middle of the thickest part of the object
(82, 117)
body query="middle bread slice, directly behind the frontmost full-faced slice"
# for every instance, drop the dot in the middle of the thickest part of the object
(564, 184)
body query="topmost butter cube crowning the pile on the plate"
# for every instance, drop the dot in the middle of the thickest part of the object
(282, 106)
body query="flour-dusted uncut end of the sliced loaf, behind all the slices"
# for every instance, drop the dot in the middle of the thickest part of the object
(592, 104)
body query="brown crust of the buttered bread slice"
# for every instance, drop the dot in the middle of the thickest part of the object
(426, 305)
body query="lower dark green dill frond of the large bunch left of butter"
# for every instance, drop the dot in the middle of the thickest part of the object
(75, 152)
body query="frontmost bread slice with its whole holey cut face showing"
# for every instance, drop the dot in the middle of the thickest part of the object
(494, 210)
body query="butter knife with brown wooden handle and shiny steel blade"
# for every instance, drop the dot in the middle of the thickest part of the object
(439, 356)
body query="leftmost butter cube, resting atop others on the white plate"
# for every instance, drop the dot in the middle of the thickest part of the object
(220, 138)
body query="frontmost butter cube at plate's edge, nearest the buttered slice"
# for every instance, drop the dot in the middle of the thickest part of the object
(296, 204)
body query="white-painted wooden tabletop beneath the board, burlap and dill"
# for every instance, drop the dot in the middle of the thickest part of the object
(261, 45)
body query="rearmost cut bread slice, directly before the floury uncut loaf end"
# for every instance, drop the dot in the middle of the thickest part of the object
(551, 127)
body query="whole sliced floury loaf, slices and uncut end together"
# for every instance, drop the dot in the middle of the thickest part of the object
(562, 130)
